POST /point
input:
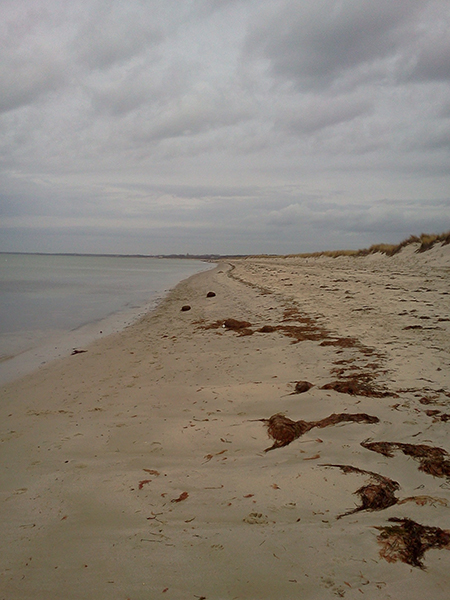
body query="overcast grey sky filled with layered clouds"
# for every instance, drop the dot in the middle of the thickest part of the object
(222, 126)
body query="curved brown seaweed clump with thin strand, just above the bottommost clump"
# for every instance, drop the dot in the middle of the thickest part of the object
(378, 494)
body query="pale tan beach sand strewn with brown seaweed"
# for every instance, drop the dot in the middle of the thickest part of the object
(137, 469)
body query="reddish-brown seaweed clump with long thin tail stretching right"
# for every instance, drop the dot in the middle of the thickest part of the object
(284, 430)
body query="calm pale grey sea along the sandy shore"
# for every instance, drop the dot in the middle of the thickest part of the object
(51, 304)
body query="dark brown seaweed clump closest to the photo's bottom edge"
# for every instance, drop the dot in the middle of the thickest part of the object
(408, 541)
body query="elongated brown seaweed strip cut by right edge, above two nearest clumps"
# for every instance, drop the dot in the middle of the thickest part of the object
(432, 460)
